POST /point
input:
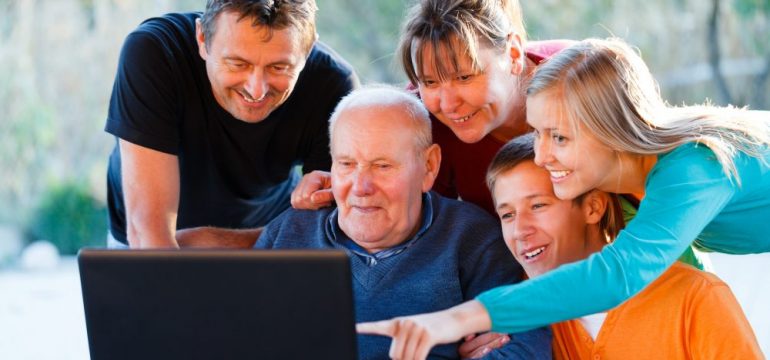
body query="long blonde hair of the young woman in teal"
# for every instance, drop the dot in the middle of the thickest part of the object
(606, 86)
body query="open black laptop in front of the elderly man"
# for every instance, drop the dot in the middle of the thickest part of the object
(217, 304)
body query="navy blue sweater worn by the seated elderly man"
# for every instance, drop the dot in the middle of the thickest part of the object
(460, 255)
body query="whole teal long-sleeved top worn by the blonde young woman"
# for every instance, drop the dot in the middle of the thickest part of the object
(687, 196)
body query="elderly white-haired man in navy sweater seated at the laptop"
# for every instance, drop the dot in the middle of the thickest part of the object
(412, 251)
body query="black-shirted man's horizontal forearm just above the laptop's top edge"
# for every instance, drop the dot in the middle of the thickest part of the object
(211, 237)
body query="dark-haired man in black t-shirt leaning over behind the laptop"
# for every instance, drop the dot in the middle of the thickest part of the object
(212, 113)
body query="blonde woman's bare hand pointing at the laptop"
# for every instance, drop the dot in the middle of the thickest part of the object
(414, 336)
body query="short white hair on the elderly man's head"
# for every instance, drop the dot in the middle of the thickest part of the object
(379, 95)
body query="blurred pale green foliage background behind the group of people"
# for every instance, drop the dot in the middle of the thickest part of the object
(58, 60)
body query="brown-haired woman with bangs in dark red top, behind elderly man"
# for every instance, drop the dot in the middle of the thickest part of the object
(468, 61)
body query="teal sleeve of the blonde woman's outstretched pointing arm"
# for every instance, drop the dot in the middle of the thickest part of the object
(685, 192)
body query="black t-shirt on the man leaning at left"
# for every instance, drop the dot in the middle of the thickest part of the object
(233, 174)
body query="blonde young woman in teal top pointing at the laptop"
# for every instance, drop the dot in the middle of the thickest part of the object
(600, 123)
